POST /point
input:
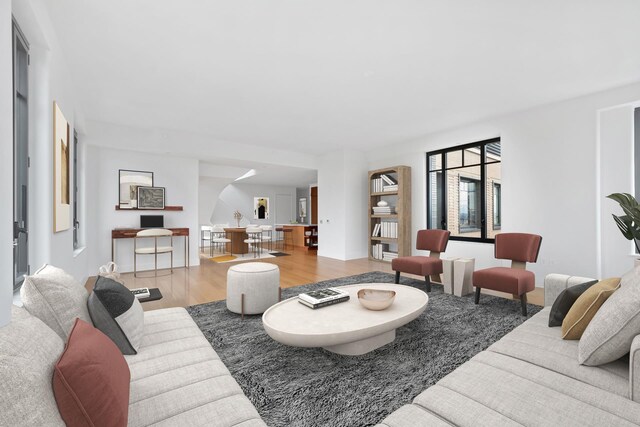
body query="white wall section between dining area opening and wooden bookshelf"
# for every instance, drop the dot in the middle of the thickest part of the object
(342, 202)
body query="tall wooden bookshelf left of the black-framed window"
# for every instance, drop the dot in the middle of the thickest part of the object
(401, 199)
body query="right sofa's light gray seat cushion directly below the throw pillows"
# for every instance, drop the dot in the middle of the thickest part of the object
(536, 343)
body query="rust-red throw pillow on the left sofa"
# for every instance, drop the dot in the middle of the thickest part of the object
(91, 380)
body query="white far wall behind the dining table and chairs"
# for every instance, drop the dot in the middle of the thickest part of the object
(240, 197)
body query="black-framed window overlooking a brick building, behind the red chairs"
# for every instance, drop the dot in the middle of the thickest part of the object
(464, 190)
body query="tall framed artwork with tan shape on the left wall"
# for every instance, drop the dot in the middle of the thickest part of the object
(61, 174)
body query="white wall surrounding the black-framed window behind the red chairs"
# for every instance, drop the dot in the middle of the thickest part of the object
(549, 179)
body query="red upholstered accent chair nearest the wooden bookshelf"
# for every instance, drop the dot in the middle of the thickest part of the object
(434, 241)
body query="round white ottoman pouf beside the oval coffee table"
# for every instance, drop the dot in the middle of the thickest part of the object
(252, 287)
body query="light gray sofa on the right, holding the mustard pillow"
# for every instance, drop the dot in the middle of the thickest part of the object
(531, 377)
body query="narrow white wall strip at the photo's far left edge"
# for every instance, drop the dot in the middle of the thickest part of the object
(6, 162)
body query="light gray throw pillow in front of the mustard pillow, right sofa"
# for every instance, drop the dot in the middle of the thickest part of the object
(611, 331)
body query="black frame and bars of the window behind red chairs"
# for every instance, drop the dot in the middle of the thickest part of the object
(442, 172)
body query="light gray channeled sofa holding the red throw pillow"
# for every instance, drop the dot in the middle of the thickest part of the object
(177, 379)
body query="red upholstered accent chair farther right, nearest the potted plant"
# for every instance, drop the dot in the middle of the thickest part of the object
(520, 248)
